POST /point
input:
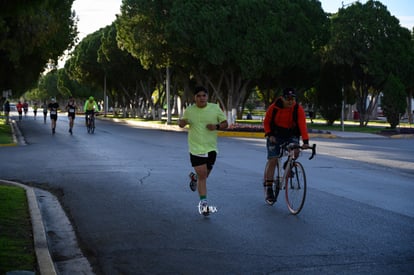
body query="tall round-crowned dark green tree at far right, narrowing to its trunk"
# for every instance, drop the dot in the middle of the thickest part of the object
(367, 39)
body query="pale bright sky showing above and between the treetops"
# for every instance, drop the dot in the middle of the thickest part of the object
(96, 14)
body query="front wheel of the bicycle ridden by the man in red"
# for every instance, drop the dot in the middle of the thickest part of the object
(295, 187)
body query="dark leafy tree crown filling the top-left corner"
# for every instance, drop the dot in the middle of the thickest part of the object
(33, 34)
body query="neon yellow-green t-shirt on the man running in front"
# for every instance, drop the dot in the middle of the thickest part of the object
(200, 139)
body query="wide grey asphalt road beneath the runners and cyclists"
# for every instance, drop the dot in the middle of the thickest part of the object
(125, 191)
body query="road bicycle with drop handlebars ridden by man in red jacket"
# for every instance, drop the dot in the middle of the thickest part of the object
(293, 179)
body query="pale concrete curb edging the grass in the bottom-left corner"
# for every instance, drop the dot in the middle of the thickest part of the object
(44, 259)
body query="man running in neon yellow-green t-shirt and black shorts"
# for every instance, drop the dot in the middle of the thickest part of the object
(204, 120)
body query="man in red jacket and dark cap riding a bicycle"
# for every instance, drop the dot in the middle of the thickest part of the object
(280, 126)
